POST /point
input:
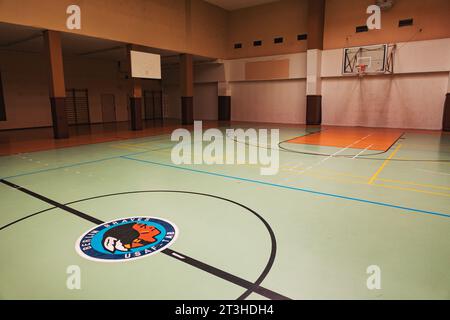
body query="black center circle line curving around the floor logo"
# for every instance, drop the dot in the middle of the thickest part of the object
(273, 250)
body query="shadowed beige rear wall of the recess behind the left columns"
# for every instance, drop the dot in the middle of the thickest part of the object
(26, 91)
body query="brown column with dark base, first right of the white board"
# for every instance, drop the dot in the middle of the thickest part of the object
(187, 89)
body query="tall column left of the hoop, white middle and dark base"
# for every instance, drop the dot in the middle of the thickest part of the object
(316, 20)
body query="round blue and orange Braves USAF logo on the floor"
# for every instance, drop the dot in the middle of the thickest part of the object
(126, 239)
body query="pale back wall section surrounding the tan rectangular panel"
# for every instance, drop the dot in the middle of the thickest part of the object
(272, 100)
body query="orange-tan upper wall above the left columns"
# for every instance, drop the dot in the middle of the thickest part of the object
(191, 26)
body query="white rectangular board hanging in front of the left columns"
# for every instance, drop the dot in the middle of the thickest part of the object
(145, 65)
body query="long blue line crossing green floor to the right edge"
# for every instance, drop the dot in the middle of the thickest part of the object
(290, 188)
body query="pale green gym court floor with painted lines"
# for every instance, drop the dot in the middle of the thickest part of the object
(309, 232)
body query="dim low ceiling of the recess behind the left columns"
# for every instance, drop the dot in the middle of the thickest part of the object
(27, 39)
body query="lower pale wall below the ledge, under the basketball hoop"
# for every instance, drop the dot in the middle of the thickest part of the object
(402, 101)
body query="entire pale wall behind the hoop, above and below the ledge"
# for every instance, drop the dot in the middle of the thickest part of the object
(411, 98)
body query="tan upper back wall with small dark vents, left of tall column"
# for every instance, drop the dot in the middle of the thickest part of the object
(285, 18)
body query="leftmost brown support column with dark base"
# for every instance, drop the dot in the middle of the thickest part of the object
(57, 86)
